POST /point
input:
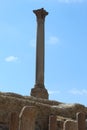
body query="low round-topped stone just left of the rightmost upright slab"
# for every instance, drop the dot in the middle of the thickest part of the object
(70, 125)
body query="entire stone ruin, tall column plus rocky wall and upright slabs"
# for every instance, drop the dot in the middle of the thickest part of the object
(37, 112)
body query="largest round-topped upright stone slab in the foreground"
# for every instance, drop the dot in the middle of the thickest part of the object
(27, 118)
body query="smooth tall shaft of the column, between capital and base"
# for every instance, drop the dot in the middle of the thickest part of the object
(40, 52)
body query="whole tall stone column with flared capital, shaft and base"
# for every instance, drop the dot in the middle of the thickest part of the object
(39, 88)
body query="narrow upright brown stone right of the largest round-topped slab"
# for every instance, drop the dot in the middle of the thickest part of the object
(52, 122)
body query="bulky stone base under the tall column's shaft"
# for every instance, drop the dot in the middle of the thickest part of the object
(39, 91)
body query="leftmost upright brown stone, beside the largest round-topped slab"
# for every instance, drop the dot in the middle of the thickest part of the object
(14, 121)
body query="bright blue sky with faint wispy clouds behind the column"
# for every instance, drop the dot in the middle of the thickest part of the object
(65, 48)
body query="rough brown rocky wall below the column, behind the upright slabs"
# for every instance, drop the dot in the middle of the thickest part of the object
(10, 103)
